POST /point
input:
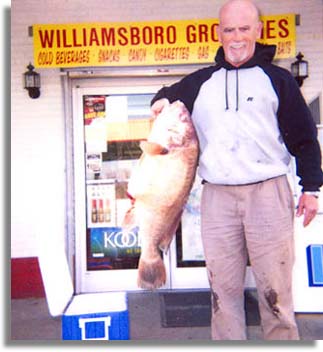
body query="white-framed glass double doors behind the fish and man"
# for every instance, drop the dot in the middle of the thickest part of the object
(108, 125)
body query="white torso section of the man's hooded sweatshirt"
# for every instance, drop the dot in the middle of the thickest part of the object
(239, 143)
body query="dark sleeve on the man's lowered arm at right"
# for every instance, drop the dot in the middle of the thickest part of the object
(298, 130)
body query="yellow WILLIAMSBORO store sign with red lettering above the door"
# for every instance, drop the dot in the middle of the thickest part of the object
(145, 43)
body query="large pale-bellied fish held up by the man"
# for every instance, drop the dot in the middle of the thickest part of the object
(159, 187)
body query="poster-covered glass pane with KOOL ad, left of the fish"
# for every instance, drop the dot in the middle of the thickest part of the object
(113, 126)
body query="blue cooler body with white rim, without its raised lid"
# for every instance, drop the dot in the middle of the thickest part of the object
(99, 316)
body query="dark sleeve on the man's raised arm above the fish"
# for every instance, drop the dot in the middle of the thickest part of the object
(186, 89)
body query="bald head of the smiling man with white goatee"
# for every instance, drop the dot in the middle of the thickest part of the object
(238, 30)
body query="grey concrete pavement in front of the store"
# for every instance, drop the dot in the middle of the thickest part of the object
(30, 320)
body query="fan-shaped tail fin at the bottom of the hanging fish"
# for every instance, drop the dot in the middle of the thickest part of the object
(151, 274)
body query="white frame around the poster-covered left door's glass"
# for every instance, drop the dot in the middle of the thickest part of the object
(92, 280)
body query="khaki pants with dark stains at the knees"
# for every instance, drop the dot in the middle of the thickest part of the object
(254, 220)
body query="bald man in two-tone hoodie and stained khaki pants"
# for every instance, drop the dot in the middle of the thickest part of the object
(250, 118)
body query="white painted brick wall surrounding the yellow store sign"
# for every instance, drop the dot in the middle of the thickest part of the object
(37, 134)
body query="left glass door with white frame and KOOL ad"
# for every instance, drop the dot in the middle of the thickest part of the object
(108, 127)
